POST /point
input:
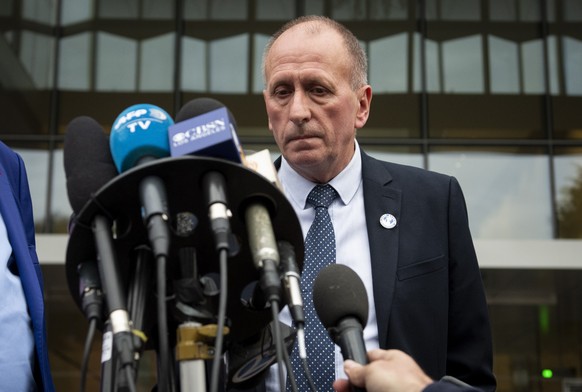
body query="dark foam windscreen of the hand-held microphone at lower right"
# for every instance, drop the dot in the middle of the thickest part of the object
(338, 292)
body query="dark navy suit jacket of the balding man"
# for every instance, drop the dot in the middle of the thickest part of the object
(428, 292)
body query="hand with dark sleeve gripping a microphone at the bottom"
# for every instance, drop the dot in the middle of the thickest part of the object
(394, 371)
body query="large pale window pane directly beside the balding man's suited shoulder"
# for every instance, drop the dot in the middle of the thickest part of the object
(507, 194)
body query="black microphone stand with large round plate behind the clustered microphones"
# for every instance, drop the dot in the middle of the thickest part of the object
(191, 324)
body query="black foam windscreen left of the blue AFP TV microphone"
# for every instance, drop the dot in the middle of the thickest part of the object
(87, 160)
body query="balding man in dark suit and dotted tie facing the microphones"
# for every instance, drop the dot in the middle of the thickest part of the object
(404, 230)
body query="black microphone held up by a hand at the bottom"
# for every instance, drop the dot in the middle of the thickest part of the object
(341, 303)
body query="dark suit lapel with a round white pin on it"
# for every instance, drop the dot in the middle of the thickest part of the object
(379, 199)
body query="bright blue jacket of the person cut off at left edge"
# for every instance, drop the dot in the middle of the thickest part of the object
(16, 209)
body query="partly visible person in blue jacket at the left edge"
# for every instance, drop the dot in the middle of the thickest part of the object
(23, 343)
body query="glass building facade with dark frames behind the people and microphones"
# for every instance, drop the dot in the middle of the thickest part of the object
(489, 91)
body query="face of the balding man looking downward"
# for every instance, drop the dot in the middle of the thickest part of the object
(312, 109)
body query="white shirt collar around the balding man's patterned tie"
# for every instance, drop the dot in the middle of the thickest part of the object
(346, 183)
